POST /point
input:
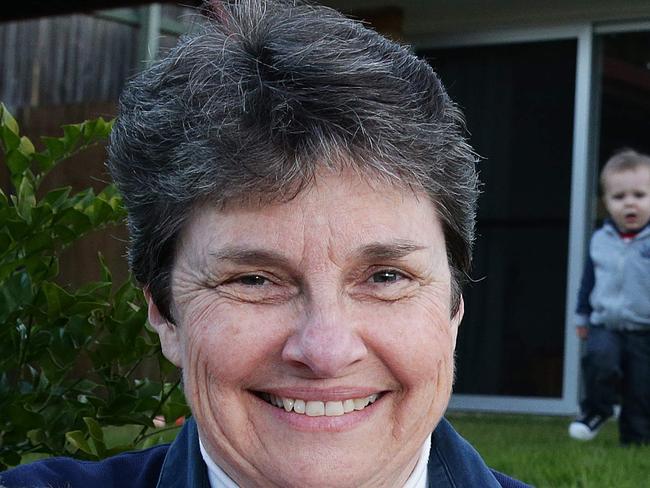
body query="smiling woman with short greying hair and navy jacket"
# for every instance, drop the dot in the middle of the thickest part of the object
(301, 205)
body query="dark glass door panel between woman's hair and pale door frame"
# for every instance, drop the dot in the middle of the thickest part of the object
(518, 102)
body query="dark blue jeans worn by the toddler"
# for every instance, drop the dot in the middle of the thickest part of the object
(616, 365)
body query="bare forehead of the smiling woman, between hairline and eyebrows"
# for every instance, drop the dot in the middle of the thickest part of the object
(344, 210)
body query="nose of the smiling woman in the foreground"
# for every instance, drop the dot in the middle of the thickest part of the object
(325, 342)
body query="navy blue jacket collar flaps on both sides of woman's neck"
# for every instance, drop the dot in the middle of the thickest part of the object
(453, 463)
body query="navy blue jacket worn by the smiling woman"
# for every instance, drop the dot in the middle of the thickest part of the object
(453, 463)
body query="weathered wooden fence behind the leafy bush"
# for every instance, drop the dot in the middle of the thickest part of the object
(66, 69)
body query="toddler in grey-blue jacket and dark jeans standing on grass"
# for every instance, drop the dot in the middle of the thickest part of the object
(613, 313)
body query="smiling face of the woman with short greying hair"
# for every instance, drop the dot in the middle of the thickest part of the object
(335, 305)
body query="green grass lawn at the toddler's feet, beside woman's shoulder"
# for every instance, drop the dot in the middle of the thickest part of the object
(538, 450)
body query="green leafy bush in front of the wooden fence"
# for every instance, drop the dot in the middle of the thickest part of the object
(70, 358)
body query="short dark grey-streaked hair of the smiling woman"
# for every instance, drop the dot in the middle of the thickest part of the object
(266, 94)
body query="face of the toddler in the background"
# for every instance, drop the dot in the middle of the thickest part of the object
(627, 198)
